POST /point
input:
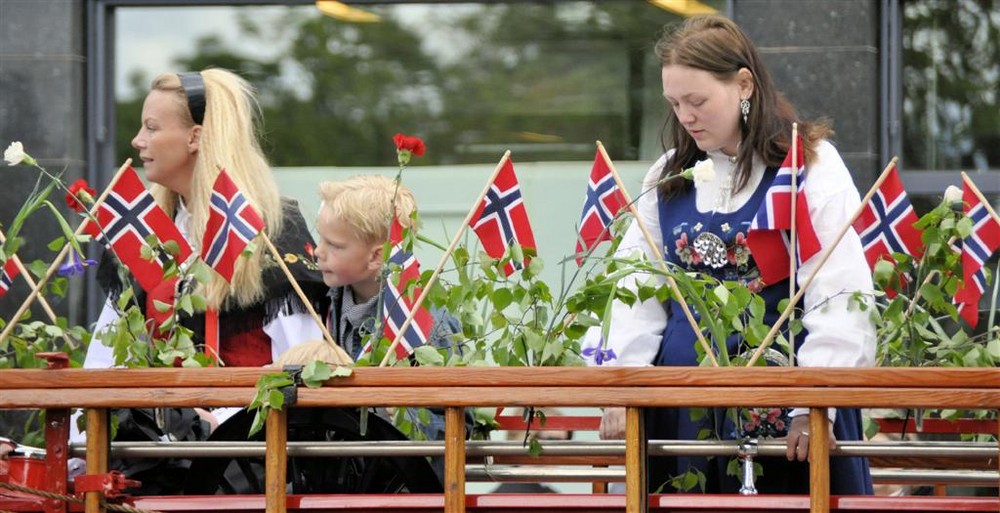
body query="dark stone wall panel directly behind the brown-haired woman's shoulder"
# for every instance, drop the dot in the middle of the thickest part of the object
(824, 55)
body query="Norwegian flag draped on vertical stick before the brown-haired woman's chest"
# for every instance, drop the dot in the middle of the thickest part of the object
(767, 238)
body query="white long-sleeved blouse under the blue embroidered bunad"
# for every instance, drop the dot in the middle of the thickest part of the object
(839, 333)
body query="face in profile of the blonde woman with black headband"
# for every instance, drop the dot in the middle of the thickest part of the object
(167, 145)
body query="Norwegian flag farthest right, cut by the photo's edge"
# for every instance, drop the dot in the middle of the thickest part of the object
(976, 250)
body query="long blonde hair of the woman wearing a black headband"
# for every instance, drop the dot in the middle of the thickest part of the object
(228, 141)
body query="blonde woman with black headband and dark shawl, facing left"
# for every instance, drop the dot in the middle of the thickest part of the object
(194, 124)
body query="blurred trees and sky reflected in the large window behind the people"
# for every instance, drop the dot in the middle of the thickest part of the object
(544, 80)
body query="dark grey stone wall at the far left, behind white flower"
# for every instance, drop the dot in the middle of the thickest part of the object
(42, 104)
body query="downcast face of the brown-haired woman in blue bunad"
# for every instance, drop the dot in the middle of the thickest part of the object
(705, 106)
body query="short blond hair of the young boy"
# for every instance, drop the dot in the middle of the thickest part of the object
(365, 203)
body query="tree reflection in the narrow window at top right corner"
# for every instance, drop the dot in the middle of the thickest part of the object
(951, 79)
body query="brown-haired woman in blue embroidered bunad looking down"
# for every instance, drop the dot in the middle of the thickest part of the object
(724, 107)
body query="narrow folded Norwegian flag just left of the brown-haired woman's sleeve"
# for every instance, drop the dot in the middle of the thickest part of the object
(603, 202)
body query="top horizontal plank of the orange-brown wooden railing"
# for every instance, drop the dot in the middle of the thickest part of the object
(923, 377)
